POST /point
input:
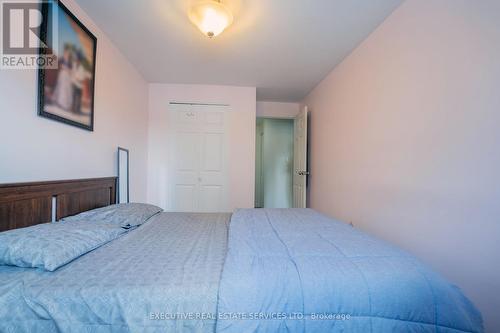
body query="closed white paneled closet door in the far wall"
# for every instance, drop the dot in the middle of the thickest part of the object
(199, 181)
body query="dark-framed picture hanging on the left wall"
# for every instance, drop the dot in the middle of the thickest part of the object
(66, 93)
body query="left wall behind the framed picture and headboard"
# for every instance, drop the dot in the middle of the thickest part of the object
(34, 148)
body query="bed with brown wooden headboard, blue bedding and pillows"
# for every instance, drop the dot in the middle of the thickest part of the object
(256, 270)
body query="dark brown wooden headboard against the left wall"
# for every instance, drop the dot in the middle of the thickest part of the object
(26, 204)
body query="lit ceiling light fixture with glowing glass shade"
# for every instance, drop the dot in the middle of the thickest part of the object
(210, 16)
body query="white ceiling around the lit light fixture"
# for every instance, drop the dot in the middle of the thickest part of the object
(282, 47)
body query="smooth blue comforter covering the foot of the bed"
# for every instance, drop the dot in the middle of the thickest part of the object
(298, 271)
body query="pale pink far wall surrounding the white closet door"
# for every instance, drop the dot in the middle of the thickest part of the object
(242, 101)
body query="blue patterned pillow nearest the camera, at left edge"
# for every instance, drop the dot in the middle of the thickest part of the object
(51, 245)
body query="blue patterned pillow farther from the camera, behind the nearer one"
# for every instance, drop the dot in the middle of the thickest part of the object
(125, 215)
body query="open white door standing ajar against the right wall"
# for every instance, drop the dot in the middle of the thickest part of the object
(300, 160)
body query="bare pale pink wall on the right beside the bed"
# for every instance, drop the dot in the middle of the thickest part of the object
(406, 141)
